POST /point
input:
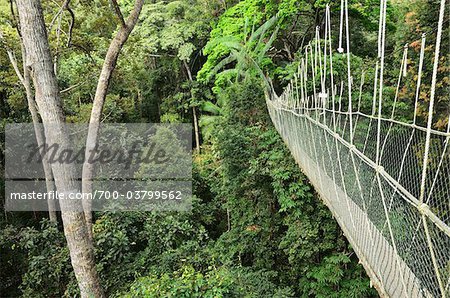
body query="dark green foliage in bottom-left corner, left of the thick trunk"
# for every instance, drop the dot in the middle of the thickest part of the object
(41, 254)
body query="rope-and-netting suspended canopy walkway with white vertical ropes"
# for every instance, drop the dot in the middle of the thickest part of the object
(386, 181)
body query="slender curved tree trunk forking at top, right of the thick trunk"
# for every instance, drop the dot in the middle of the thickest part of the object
(100, 94)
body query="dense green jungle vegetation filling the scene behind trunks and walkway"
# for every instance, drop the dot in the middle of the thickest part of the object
(257, 228)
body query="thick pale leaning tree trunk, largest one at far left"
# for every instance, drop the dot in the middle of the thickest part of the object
(39, 61)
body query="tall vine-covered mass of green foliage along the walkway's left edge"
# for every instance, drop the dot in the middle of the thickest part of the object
(277, 222)
